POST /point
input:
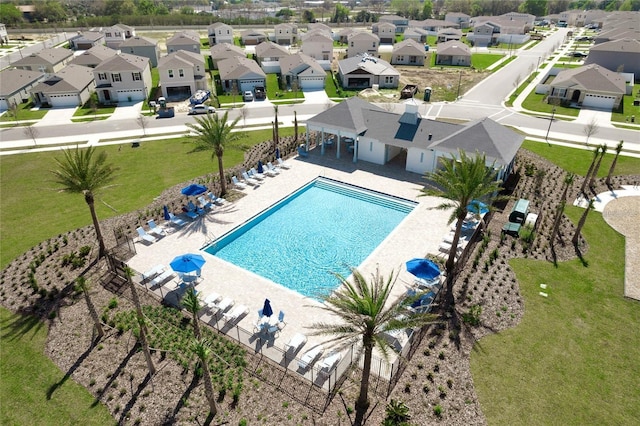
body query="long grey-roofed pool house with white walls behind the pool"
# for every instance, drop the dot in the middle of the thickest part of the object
(366, 132)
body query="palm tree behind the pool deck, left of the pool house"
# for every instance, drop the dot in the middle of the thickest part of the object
(215, 133)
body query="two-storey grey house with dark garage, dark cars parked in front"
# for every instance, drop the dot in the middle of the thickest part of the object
(182, 73)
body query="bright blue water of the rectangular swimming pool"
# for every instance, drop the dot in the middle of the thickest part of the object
(323, 228)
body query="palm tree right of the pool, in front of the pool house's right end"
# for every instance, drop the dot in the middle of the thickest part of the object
(460, 182)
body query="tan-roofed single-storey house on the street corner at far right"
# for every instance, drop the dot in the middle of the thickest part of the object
(588, 86)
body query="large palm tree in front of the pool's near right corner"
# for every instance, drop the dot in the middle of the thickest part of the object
(366, 313)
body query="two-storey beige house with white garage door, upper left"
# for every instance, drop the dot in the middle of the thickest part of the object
(123, 78)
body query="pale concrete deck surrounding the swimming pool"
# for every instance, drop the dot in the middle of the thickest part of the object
(420, 233)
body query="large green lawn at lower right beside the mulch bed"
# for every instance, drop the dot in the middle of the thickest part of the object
(574, 358)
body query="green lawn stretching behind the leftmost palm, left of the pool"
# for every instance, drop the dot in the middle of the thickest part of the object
(144, 173)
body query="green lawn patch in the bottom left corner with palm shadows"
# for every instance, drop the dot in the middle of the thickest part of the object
(28, 376)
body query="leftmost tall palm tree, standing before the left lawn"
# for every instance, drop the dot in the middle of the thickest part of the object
(80, 173)
